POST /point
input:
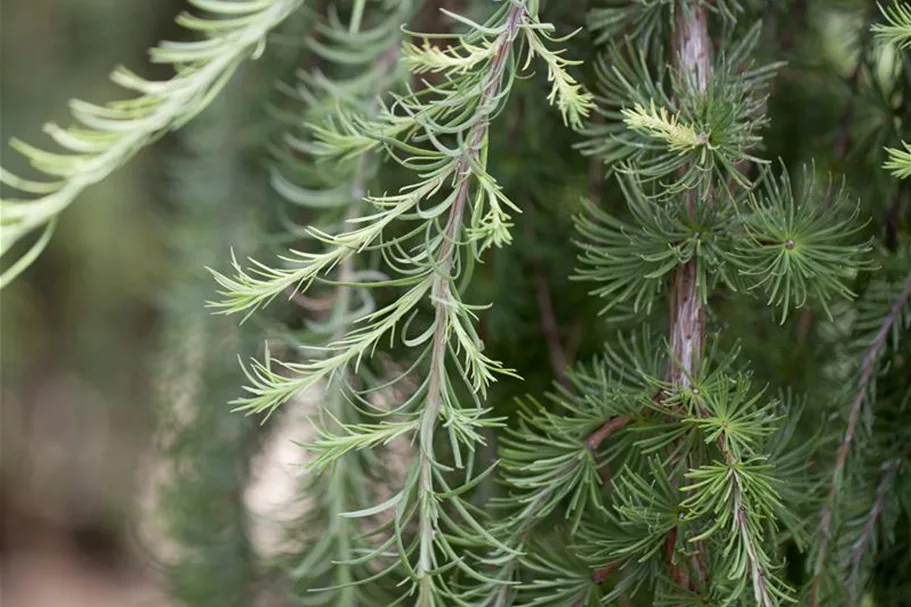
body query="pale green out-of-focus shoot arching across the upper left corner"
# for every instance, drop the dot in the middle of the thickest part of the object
(108, 136)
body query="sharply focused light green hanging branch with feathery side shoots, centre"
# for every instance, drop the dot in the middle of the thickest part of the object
(454, 209)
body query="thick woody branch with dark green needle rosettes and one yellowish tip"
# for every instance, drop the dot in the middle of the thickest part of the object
(676, 156)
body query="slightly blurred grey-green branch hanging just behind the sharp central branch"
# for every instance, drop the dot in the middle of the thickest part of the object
(330, 570)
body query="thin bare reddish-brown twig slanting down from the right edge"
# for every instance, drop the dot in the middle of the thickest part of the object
(867, 369)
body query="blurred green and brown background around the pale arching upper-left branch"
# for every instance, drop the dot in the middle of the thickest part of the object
(77, 333)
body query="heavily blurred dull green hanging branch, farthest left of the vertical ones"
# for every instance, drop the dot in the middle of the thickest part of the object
(207, 453)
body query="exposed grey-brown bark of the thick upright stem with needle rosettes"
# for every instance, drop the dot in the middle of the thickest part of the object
(687, 316)
